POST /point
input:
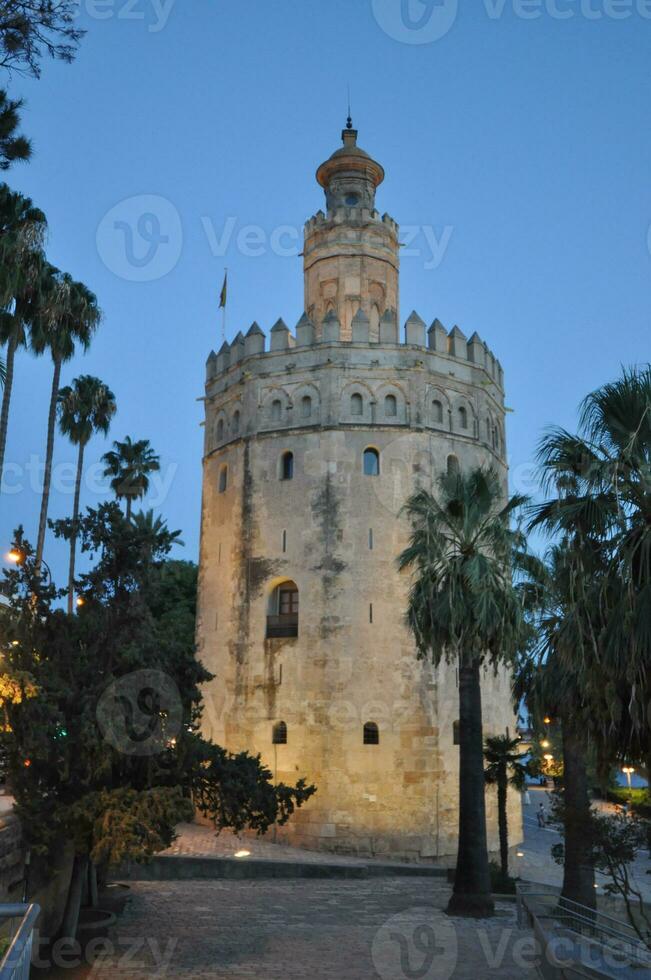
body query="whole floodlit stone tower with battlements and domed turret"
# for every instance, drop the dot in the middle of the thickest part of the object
(311, 448)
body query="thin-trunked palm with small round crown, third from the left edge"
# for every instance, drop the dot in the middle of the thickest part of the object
(85, 407)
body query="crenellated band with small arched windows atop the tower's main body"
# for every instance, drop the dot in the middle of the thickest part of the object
(432, 378)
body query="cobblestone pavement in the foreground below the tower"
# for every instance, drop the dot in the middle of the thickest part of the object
(392, 929)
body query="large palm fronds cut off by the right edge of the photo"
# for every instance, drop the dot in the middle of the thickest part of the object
(601, 483)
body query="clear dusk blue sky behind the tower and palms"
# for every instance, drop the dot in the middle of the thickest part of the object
(523, 143)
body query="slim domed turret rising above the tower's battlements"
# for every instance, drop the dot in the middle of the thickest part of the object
(351, 260)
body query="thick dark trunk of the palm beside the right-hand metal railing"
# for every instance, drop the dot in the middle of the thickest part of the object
(578, 870)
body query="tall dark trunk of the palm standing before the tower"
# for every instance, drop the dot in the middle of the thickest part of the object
(472, 888)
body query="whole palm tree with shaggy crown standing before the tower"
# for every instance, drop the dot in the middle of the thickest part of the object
(464, 608)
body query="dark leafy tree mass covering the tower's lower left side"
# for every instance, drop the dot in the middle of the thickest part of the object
(70, 778)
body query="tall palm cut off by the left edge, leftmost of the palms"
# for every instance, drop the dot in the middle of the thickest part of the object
(22, 230)
